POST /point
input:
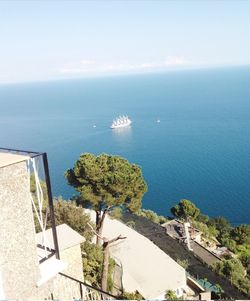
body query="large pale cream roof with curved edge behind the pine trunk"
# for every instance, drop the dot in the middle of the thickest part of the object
(146, 267)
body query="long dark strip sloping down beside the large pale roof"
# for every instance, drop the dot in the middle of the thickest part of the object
(157, 235)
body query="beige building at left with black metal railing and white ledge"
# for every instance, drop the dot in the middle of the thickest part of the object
(35, 266)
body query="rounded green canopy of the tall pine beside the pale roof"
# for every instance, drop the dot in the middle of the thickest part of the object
(107, 180)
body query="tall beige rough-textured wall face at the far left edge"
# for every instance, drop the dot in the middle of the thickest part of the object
(18, 257)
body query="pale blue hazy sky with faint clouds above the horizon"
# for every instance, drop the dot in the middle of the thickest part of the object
(49, 40)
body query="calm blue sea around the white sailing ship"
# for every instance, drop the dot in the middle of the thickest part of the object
(199, 151)
